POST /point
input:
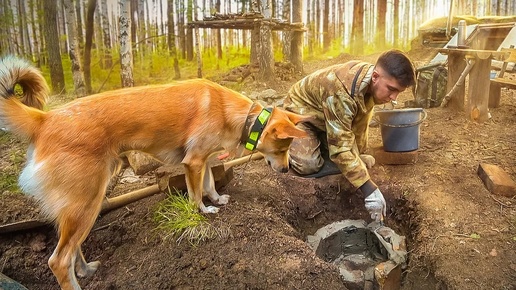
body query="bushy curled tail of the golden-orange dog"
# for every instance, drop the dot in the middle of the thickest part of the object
(23, 93)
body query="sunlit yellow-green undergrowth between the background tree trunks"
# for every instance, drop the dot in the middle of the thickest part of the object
(157, 66)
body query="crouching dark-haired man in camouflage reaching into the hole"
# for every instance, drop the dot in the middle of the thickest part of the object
(341, 99)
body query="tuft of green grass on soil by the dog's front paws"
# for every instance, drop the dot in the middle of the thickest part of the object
(177, 217)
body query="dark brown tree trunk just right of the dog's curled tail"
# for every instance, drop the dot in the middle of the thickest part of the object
(52, 42)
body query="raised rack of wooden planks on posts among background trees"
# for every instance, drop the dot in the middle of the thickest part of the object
(261, 28)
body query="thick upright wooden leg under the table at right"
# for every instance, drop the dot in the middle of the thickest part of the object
(478, 90)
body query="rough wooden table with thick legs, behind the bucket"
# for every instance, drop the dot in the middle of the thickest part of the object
(476, 103)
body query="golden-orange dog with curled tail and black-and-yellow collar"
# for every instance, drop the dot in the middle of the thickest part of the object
(74, 150)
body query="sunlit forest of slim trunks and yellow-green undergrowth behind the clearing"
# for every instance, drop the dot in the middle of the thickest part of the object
(87, 46)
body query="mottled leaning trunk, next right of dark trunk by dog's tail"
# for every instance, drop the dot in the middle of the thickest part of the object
(73, 49)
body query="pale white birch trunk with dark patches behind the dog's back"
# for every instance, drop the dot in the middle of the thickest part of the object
(126, 58)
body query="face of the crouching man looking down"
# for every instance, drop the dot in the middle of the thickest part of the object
(384, 88)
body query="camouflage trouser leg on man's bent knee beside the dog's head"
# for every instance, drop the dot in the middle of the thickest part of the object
(306, 154)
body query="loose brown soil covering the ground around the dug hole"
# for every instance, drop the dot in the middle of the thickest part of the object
(460, 236)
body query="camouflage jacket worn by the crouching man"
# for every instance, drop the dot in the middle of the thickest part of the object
(341, 109)
